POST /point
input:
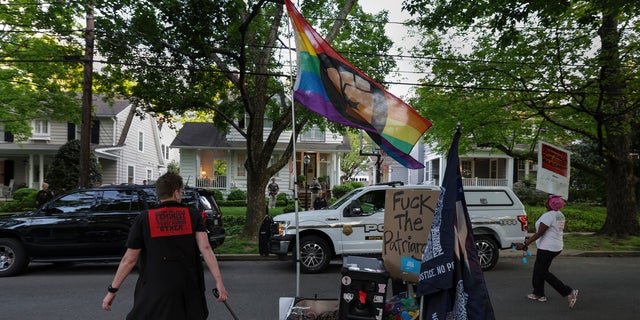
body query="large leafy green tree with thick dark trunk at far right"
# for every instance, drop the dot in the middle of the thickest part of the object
(514, 72)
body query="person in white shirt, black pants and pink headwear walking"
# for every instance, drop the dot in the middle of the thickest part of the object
(549, 244)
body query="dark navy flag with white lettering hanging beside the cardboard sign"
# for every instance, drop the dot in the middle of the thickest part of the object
(451, 280)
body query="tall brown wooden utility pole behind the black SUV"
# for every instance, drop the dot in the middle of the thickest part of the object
(85, 131)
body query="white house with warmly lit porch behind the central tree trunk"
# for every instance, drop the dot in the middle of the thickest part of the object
(210, 159)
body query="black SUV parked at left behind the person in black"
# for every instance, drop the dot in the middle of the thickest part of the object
(88, 225)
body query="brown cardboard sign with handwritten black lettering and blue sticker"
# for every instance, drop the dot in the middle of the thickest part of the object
(408, 215)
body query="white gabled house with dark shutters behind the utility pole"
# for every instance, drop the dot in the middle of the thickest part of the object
(129, 149)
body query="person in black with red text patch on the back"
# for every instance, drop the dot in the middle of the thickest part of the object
(168, 243)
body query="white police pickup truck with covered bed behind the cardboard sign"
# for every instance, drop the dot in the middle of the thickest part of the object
(354, 225)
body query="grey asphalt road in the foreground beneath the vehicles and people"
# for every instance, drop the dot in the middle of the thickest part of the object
(608, 286)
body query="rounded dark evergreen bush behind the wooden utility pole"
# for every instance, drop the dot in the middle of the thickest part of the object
(64, 171)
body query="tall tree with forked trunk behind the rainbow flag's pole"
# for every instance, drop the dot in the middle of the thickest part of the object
(222, 58)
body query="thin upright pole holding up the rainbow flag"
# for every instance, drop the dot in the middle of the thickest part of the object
(295, 164)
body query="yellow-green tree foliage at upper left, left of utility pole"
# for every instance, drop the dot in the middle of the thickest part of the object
(40, 73)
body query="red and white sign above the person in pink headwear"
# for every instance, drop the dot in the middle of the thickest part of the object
(554, 168)
